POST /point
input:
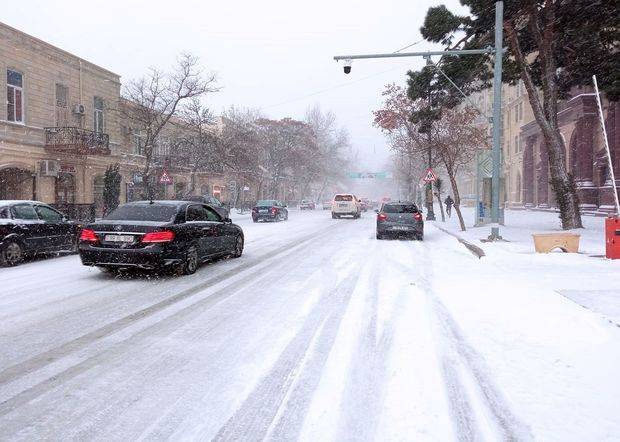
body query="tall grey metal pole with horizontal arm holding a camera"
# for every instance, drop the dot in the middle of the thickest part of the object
(497, 51)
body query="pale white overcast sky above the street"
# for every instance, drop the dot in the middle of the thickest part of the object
(272, 54)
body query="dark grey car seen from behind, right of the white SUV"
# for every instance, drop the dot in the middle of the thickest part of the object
(400, 219)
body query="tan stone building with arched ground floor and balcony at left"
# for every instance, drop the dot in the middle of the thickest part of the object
(60, 129)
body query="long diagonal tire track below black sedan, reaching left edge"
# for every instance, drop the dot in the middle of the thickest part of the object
(41, 360)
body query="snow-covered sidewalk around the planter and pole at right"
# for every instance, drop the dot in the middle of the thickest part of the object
(585, 278)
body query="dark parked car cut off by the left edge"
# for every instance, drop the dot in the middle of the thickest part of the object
(30, 227)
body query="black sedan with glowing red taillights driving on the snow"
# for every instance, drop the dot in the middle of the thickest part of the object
(175, 235)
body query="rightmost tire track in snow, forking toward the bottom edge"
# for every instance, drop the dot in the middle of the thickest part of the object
(467, 428)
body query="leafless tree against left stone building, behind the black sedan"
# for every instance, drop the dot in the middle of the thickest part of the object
(151, 101)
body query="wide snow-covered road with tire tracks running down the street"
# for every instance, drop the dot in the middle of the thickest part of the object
(319, 332)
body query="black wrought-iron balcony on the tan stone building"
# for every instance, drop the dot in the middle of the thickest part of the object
(76, 141)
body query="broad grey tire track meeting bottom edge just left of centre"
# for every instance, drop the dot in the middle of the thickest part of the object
(281, 387)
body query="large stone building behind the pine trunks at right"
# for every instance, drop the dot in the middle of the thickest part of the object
(525, 165)
